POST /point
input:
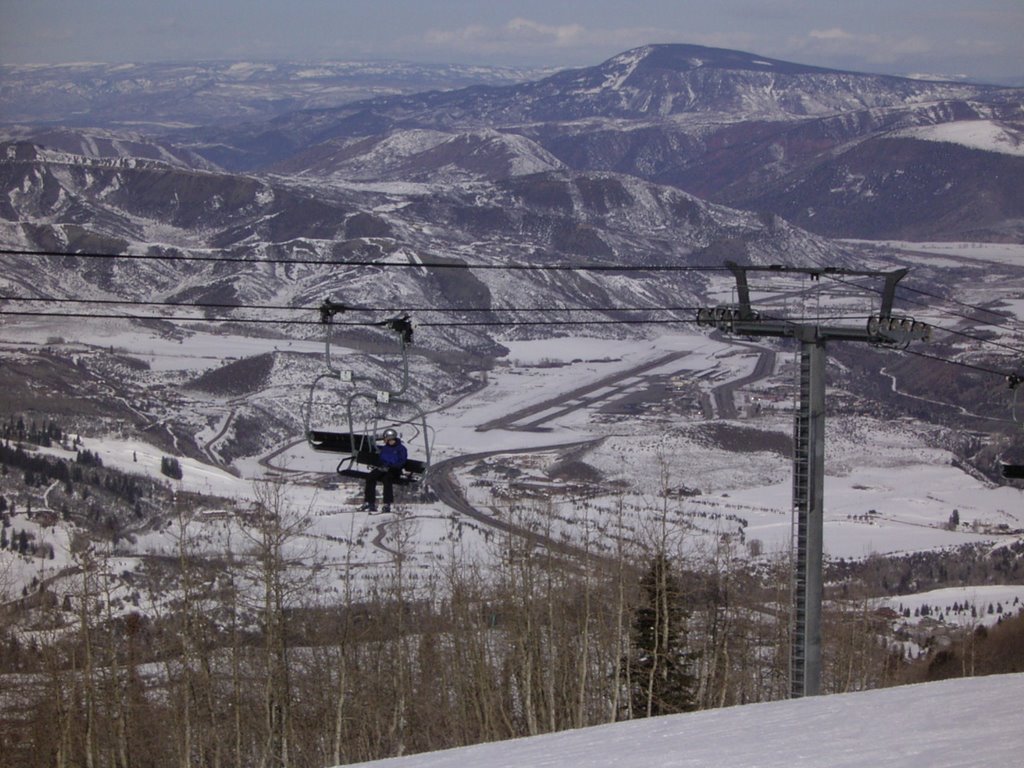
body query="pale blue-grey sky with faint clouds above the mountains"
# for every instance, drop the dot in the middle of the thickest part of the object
(978, 39)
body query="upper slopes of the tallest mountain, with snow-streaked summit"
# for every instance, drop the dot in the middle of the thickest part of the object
(652, 82)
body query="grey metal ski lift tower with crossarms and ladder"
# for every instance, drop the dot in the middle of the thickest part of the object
(809, 438)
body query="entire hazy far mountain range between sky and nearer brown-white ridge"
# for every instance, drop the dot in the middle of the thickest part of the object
(838, 153)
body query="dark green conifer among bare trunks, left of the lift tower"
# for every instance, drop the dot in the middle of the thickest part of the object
(660, 665)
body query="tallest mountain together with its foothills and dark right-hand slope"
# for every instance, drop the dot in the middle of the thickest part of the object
(826, 149)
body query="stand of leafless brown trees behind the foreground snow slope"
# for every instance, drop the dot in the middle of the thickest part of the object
(246, 668)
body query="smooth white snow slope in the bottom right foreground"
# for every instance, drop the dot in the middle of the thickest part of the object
(964, 723)
